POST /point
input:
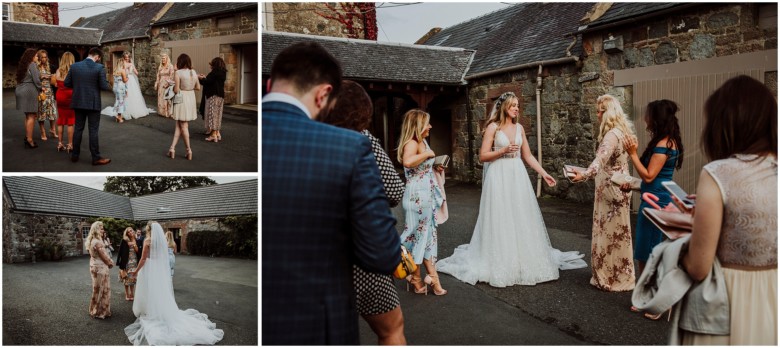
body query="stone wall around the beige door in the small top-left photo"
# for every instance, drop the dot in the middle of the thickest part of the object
(246, 22)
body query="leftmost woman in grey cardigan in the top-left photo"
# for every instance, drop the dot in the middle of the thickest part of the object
(28, 86)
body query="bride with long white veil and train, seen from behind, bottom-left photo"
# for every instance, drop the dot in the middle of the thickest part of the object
(159, 319)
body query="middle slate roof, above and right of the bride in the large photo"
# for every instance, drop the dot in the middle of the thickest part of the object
(519, 34)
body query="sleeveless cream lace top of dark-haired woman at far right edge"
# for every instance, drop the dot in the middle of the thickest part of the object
(749, 188)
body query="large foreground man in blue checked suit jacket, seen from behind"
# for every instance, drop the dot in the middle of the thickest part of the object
(324, 207)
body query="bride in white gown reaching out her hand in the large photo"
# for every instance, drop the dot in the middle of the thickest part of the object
(510, 245)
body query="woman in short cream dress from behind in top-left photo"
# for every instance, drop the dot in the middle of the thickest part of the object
(186, 83)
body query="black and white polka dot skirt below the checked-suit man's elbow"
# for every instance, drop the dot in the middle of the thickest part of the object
(376, 293)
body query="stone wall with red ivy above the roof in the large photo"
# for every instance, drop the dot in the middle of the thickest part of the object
(302, 18)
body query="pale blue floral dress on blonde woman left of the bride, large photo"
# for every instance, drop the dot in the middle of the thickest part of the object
(422, 198)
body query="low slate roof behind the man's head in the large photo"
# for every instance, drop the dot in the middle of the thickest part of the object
(368, 60)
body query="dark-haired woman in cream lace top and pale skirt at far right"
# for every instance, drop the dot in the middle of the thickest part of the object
(735, 217)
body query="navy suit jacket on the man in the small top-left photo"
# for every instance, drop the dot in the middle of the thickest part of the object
(86, 78)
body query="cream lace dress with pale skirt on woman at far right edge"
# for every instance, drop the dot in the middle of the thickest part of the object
(748, 239)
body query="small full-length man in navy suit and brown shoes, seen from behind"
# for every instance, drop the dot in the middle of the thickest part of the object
(87, 78)
